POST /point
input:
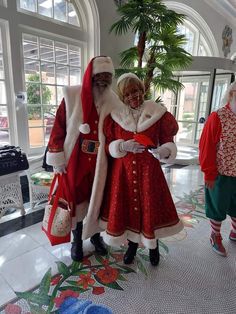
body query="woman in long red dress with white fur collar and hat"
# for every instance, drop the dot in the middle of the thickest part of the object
(137, 204)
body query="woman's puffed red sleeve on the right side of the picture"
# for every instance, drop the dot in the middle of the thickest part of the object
(169, 128)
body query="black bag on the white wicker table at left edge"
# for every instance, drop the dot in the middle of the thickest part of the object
(12, 159)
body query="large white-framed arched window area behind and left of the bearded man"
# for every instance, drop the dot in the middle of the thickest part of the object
(40, 53)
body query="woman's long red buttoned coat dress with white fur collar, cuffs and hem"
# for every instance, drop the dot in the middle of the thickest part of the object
(137, 202)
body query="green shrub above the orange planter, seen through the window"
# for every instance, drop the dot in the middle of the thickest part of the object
(34, 96)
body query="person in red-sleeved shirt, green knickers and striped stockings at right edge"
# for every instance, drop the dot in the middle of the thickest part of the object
(217, 157)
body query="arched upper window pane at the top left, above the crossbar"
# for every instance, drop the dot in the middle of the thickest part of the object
(59, 10)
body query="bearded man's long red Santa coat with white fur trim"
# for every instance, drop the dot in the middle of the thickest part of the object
(86, 172)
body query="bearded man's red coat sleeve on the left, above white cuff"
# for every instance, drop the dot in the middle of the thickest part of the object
(58, 132)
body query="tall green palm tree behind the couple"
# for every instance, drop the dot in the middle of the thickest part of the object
(158, 47)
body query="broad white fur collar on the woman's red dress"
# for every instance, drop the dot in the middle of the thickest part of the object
(151, 113)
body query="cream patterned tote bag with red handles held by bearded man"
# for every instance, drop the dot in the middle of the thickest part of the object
(57, 218)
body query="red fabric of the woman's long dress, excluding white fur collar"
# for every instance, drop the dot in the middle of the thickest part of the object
(137, 199)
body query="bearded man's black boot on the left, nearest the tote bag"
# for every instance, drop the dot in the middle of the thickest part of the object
(77, 244)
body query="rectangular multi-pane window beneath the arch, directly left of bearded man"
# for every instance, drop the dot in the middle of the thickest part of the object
(48, 66)
